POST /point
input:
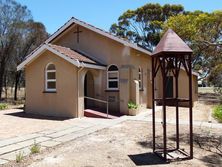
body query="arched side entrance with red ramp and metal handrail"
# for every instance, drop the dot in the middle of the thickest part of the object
(92, 98)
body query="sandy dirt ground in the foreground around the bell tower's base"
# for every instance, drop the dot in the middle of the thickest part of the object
(128, 144)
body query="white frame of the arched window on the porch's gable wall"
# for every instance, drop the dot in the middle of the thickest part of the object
(50, 80)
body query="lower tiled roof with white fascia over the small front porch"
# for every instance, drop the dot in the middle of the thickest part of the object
(67, 54)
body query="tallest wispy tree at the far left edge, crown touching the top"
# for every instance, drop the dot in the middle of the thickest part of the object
(11, 15)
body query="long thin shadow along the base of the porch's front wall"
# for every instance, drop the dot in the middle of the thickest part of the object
(34, 116)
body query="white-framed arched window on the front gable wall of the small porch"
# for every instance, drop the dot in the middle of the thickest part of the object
(50, 78)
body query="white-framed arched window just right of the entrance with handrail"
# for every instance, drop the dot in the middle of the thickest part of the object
(113, 78)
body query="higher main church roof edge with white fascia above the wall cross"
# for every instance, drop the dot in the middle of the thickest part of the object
(97, 30)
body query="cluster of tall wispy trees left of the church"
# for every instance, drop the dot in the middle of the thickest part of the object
(19, 35)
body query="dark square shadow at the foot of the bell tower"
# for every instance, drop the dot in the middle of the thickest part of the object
(146, 159)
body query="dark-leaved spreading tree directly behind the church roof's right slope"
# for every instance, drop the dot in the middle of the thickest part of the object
(144, 25)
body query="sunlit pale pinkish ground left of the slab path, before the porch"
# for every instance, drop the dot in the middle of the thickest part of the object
(15, 122)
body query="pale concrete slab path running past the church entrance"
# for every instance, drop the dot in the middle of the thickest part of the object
(9, 148)
